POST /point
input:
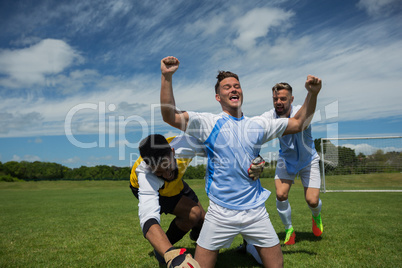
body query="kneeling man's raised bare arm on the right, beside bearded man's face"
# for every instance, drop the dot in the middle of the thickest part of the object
(304, 116)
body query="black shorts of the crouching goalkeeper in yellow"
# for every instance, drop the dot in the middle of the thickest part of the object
(168, 204)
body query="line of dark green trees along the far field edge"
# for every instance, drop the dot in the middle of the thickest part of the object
(347, 162)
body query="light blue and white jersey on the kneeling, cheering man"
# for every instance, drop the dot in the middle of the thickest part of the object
(231, 144)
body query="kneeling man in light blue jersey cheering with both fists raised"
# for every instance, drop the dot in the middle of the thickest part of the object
(232, 141)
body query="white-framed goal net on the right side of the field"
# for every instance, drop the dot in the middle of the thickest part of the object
(361, 164)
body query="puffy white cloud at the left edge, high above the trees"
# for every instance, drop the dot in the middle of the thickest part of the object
(30, 66)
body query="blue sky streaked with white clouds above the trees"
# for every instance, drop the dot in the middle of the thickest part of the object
(80, 80)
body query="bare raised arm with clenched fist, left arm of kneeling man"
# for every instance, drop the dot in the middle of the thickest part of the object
(170, 114)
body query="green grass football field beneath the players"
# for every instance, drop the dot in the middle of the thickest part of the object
(95, 224)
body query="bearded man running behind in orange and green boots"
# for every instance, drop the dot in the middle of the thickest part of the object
(297, 155)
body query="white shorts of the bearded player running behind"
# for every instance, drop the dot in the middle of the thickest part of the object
(310, 175)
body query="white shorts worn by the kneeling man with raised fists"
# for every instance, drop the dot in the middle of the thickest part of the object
(221, 225)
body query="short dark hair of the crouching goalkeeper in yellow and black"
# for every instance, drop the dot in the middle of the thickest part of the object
(153, 148)
